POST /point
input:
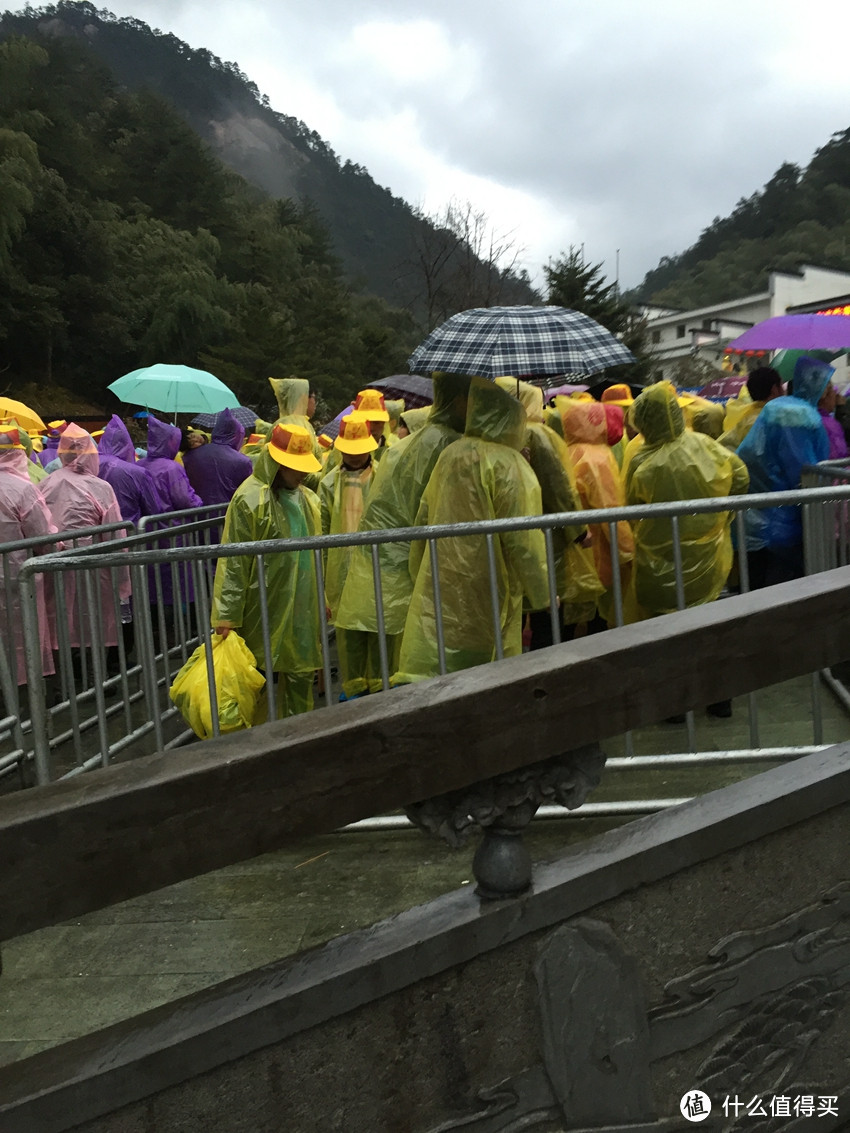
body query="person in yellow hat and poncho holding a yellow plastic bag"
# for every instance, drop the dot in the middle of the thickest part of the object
(273, 505)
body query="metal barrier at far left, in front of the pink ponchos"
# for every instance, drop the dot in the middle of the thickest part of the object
(90, 671)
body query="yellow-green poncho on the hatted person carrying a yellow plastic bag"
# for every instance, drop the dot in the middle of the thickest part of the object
(259, 512)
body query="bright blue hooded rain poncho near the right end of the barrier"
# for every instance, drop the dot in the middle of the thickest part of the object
(787, 435)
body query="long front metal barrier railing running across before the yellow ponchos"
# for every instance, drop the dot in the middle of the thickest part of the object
(167, 632)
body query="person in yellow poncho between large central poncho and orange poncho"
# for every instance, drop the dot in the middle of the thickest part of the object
(579, 586)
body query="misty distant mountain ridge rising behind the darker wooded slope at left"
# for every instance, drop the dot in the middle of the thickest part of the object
(378, 237)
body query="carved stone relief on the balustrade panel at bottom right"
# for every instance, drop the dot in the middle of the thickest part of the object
(766, 998)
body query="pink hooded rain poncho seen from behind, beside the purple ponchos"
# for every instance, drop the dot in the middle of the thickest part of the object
(79, 501)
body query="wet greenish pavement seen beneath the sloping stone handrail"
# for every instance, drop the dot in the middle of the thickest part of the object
(74, 978)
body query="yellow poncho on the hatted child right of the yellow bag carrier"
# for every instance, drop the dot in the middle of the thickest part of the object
(343, 495)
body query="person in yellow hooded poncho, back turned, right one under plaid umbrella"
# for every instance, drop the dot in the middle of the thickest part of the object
(482, 476)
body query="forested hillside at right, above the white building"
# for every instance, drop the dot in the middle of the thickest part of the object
(800, 216)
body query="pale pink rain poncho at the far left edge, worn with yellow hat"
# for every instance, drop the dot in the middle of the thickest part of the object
(23, 516)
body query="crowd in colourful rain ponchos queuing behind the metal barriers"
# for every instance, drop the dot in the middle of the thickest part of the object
(483, 450)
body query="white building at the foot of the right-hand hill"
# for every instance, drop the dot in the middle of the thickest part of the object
(705, 333)
